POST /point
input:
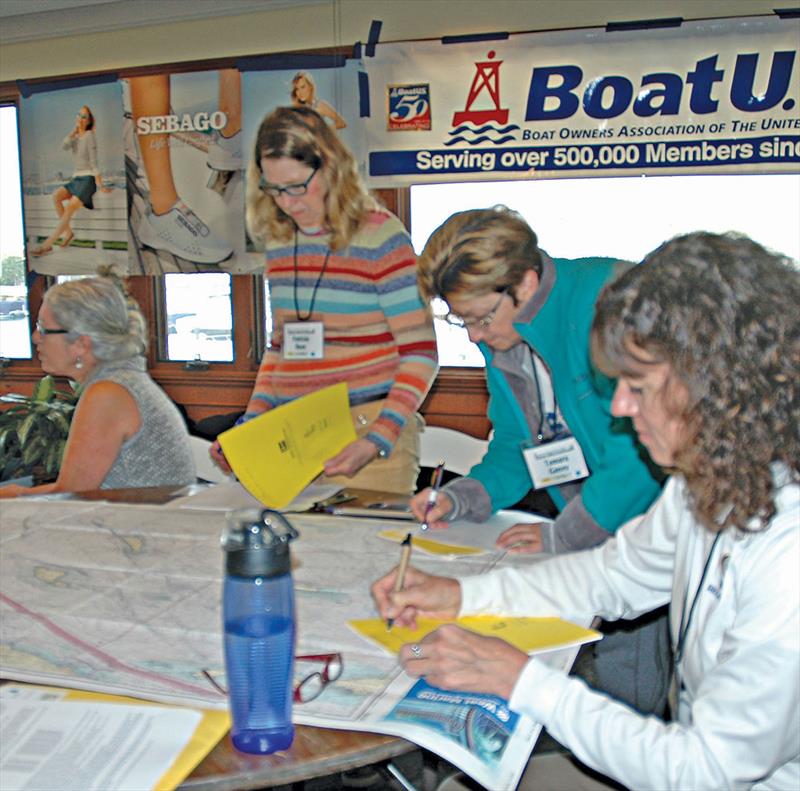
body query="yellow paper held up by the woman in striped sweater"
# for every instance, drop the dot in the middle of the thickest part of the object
(277, 454)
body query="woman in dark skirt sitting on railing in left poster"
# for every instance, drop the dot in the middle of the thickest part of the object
(78, 192)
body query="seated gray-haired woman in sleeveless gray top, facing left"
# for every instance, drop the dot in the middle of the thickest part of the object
(125, 431)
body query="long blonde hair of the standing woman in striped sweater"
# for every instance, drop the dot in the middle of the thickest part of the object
(302, 134)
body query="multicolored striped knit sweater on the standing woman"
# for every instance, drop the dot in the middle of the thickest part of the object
(379, 335)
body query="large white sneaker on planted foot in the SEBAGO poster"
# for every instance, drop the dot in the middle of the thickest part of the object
(181, 232)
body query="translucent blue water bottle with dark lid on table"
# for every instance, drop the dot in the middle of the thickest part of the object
(259, 621)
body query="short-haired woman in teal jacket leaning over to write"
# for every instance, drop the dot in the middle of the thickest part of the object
(519, 305)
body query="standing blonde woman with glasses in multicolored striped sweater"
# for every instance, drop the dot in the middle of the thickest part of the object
(344, 298)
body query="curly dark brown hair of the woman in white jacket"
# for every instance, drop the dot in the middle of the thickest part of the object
(722, 312)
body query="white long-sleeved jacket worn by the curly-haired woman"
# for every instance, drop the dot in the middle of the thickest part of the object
(738, 706)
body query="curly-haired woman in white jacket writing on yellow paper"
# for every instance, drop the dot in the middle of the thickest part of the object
(704, 337)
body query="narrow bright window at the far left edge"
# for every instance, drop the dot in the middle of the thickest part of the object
(15, 332)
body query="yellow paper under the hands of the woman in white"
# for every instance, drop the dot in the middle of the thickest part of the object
(531, 635)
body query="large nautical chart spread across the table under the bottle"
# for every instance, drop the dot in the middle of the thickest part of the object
(126, 599)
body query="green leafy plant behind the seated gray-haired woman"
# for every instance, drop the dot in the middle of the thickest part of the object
(34, 430)
